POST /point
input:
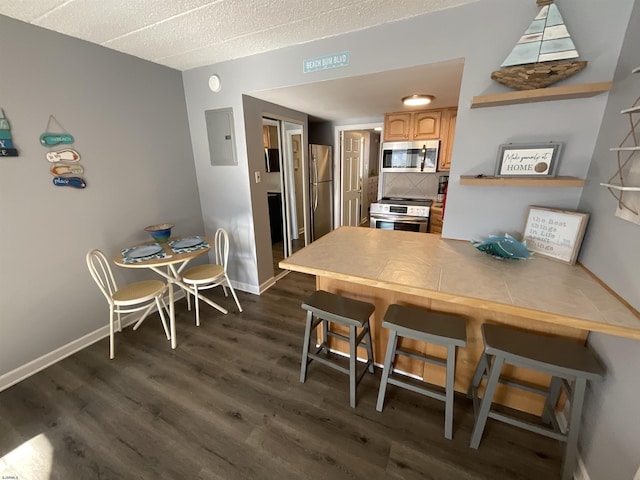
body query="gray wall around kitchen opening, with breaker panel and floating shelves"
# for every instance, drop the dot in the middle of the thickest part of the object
(472, 212)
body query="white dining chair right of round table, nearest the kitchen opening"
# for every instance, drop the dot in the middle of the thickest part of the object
(203, 277)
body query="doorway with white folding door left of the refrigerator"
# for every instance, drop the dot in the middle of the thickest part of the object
(284, 175)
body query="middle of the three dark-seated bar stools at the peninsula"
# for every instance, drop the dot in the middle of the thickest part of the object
(428, 326)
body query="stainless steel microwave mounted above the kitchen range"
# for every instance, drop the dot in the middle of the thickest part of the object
(418, 156)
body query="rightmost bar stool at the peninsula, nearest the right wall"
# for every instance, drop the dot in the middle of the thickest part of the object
(570, 365)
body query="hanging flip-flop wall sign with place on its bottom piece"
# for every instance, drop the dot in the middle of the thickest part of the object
(63, 158)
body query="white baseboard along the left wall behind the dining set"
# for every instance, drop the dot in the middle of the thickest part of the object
(24, 371)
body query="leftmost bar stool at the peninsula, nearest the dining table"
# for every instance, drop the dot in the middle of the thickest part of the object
(328, 307)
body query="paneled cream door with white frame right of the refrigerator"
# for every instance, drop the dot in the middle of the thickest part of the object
(359, 162)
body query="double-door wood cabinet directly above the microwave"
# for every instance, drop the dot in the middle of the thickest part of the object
(410, 126)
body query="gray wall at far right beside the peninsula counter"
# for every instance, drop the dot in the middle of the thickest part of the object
(611, 250)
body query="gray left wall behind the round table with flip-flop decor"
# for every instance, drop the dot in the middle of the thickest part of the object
(129, 121)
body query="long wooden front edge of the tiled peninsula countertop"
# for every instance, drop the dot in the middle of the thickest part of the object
(539, 315)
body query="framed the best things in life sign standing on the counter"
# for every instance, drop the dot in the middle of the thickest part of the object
(553, 233)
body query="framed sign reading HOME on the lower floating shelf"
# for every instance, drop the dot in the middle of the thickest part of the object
(528, 160)
